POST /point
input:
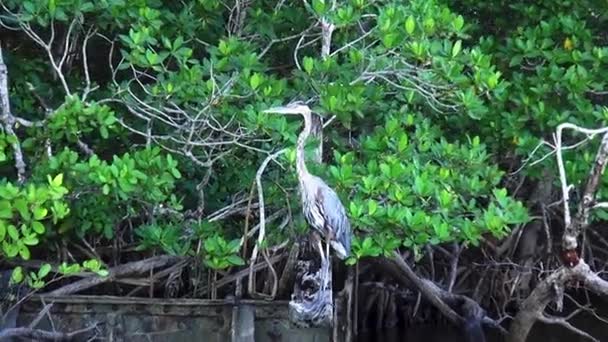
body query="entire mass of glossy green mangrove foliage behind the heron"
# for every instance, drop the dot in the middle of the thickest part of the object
(428, 97)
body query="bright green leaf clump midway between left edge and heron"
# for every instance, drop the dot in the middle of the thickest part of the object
(128, 186)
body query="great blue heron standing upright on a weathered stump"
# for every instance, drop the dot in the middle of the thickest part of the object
(321, 205)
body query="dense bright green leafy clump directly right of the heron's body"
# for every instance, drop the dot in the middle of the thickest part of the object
(411, 187)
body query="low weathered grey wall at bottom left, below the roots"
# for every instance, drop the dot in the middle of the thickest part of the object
(160, 320)
